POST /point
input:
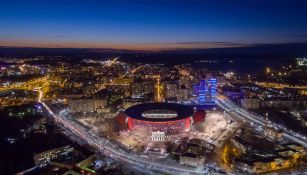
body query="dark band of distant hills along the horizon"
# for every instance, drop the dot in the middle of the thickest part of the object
(254, 51)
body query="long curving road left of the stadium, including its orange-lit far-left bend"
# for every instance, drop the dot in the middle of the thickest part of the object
(108, 147)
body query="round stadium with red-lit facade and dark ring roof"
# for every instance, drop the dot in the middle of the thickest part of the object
(166, 117)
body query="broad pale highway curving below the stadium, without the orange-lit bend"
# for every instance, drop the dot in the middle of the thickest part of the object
(110, 148)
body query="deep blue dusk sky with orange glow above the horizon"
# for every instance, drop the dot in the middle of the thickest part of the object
(151, 24)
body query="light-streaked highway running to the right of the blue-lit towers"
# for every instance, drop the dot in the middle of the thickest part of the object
(230, 107)
